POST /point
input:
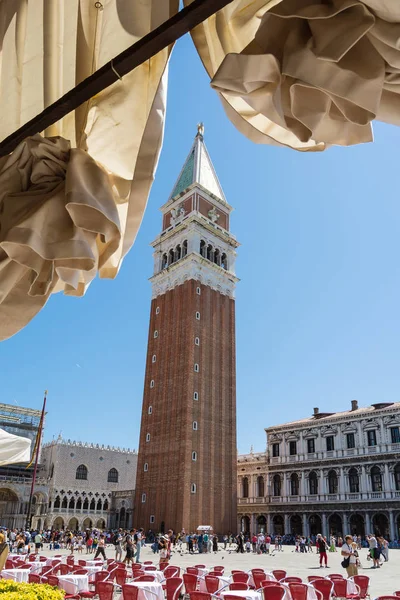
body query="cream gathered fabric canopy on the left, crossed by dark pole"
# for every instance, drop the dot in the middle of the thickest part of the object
(72, 200)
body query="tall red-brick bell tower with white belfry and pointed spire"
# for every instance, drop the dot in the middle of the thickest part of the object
(186, 473)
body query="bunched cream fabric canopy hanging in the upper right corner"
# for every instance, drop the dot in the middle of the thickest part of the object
(305, 73)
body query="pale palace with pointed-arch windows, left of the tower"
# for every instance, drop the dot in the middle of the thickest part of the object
(82, 478)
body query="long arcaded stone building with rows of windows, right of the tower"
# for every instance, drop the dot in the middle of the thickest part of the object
(331, 473)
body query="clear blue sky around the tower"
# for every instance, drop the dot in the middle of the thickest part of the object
(317, 305)
